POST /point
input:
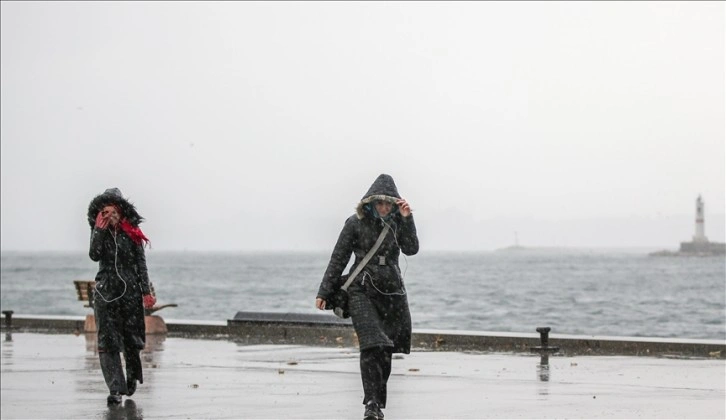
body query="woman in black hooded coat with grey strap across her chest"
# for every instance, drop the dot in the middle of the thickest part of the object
(377, 296)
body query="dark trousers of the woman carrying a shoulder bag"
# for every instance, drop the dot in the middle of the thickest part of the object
(375, 368)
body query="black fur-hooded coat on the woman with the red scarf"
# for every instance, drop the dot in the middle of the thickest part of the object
(121, 281)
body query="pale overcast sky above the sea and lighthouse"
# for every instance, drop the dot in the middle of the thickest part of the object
(259, 126)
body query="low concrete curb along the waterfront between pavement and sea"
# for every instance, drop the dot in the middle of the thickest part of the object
(272, 328)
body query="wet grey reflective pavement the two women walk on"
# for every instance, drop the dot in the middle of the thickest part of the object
(50, 376)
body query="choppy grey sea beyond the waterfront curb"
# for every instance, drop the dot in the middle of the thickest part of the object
(582, 292)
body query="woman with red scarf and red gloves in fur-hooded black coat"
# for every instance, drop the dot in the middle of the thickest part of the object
(122, 289)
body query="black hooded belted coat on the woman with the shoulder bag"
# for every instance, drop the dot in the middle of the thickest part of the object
(377, 299)
